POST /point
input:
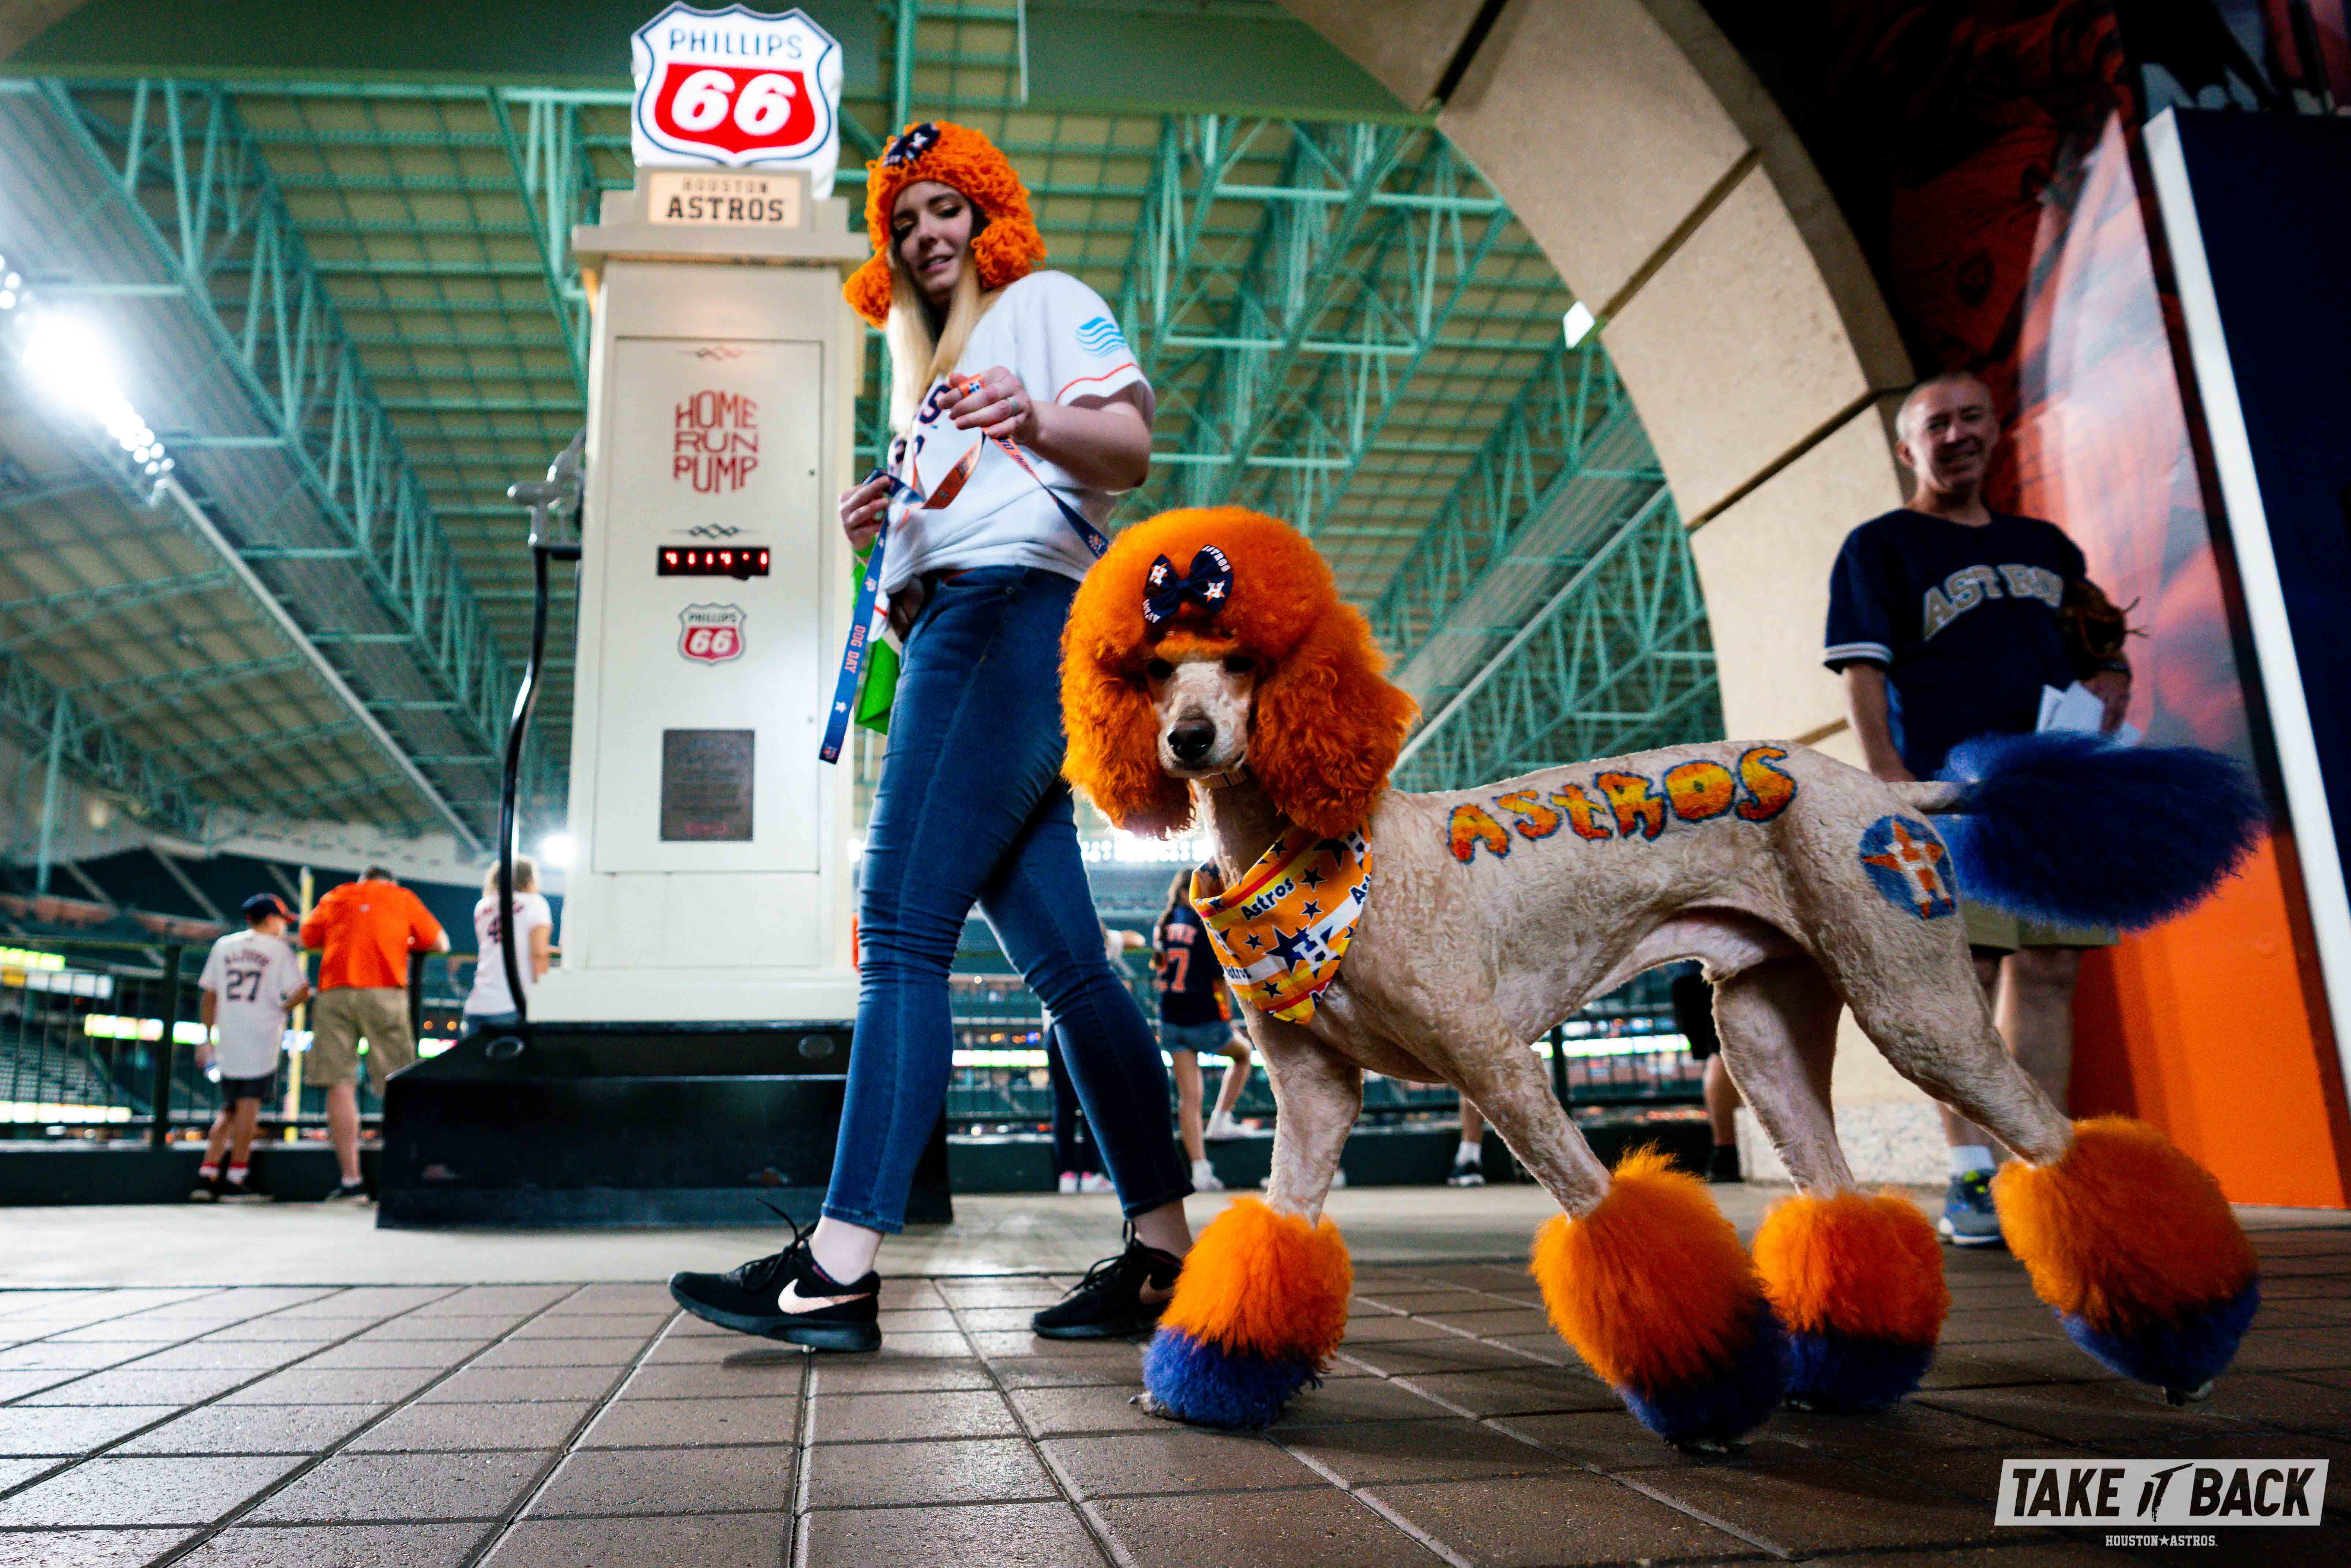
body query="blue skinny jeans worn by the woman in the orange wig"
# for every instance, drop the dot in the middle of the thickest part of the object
(972, 810)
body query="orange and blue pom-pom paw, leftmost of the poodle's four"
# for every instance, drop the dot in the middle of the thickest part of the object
(1259, 1308)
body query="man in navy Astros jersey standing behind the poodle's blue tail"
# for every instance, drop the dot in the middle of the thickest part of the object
(1945, 624)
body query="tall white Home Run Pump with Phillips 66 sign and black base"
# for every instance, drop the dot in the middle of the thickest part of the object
(685, 1061)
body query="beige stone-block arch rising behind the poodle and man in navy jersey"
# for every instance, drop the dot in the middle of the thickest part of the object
(1675, 199)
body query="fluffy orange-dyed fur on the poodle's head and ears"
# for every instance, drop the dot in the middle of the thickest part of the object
(1327, 728)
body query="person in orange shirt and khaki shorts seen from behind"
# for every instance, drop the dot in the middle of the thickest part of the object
(366, 932)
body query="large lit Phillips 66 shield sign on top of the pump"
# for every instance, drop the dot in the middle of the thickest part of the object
(737, 88)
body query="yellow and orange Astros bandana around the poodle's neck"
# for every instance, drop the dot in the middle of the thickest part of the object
(1285, 930)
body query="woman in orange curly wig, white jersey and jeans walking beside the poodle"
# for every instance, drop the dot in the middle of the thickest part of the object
(1019, 415)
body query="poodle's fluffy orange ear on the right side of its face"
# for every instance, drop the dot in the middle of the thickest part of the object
(1329, 728)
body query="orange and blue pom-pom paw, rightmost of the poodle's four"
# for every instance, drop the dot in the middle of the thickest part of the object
(2159, 1304)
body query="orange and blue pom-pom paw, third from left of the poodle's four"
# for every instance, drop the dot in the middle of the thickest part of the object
(1858, 1285)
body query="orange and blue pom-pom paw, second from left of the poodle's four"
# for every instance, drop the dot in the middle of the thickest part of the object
(1659, 1296)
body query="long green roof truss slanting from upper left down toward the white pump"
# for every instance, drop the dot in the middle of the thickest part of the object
(194, 182)
